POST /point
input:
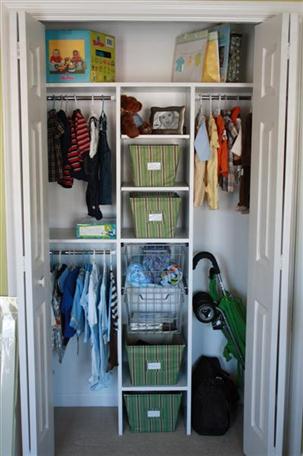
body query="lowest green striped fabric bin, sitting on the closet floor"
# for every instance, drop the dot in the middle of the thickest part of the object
(153, 412)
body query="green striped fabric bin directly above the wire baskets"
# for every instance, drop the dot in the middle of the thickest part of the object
(155, 214)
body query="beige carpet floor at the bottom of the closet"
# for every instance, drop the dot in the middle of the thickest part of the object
(93, 432)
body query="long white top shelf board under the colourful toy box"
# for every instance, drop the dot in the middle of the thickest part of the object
(197, 85)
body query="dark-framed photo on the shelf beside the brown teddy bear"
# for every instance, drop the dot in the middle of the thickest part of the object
(168, 120)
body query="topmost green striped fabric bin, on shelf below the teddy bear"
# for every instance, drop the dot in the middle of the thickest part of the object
(154, 165)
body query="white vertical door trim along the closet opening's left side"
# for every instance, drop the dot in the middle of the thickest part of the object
(13, 200)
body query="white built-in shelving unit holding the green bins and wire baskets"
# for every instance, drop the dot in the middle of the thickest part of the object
(164, 94)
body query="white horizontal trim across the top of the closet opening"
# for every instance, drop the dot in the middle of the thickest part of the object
(156, 10)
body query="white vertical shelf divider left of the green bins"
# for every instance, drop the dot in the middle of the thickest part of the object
(119, 272)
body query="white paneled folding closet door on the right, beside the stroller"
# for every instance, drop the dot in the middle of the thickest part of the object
(263, 376)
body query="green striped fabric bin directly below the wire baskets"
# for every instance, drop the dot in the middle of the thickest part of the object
(155, 364)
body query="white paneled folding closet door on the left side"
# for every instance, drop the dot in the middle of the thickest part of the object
(34, 164)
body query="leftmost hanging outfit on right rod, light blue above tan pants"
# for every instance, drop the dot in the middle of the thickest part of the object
(200, 165)
